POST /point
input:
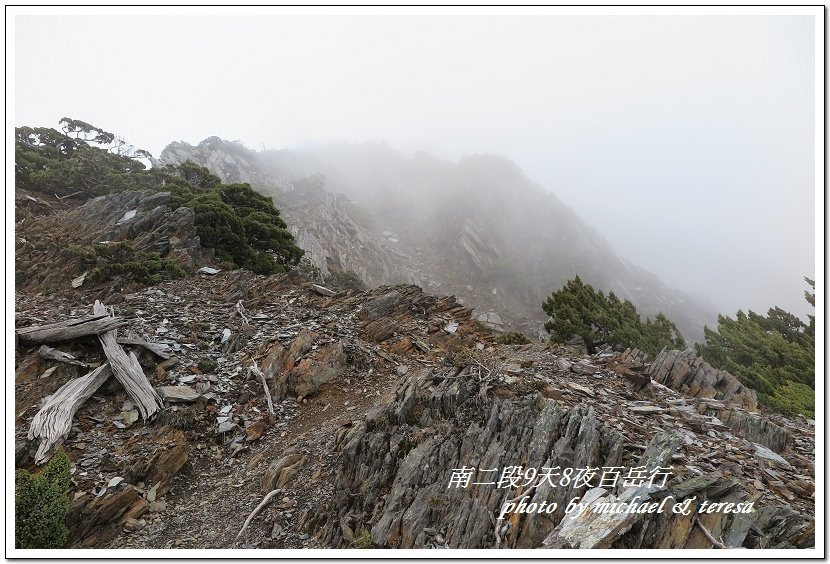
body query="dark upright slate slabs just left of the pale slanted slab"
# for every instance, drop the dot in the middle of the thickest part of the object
(397, 463)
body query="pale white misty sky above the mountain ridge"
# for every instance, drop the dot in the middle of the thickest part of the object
(688, 142)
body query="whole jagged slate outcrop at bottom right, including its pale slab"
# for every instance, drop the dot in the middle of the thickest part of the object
(401, 478)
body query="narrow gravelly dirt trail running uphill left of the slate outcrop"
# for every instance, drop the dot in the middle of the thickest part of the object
(214, 494)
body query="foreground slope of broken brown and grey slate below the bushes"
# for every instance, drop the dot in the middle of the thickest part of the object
(379, 396)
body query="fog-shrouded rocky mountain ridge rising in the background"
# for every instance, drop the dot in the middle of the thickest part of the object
(478, 229)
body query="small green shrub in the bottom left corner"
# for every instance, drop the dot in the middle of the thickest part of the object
(40, 505)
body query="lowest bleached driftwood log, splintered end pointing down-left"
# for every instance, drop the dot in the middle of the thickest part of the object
(54, 420)
